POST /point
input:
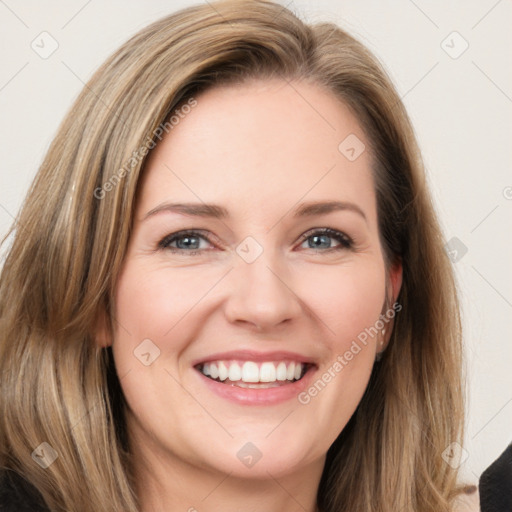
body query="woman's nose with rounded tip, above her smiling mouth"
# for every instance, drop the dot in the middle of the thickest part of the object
(261, 294)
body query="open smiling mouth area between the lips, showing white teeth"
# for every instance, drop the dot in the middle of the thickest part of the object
(249, 374)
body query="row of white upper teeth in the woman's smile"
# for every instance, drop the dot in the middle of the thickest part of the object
(250, 371)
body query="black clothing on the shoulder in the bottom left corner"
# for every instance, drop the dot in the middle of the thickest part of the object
(17, 495)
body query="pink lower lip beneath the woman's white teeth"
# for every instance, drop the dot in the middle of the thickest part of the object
(264, 396)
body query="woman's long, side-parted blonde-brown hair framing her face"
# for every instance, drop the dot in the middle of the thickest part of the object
(59, 387)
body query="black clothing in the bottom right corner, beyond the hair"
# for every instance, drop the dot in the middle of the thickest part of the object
(495, 484)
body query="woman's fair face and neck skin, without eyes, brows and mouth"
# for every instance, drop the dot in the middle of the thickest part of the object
(260, 150)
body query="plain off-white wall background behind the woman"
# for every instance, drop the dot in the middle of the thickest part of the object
(461, 109)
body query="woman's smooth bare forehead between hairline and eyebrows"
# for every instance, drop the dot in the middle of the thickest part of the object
(261, 146)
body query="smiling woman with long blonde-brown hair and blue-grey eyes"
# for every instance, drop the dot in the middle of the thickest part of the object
(228, 287)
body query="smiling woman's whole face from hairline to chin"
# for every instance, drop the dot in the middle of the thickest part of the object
(254, 257)
